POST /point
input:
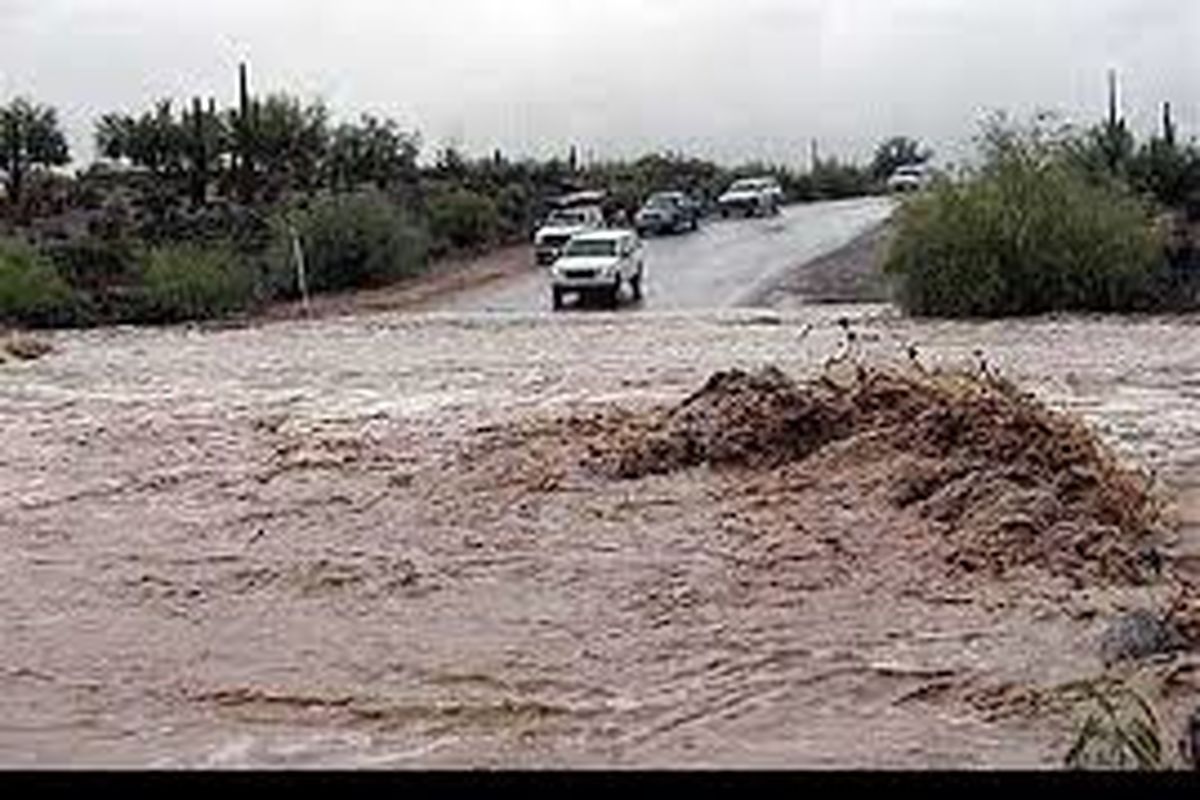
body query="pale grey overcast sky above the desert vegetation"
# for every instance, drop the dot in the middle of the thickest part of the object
(731, 80)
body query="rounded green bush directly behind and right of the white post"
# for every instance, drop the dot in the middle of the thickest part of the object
(355, 242)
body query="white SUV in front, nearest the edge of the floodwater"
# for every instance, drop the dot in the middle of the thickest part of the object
(598, 264)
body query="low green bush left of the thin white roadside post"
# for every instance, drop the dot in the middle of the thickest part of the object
(184, 282)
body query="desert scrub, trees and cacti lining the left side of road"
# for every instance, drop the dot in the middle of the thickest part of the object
(200, 212)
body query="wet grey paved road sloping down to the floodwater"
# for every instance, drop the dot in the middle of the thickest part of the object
(724, 264)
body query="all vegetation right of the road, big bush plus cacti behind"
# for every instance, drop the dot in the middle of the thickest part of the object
(1054, 219)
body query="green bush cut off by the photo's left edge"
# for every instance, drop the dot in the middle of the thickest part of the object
(32, 291)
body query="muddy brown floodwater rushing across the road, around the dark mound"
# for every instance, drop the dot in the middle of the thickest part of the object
(368, 543)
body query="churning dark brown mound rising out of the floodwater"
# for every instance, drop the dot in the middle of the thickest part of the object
(1000, 480)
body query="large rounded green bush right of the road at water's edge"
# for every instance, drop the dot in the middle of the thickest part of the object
(1027, 234)
